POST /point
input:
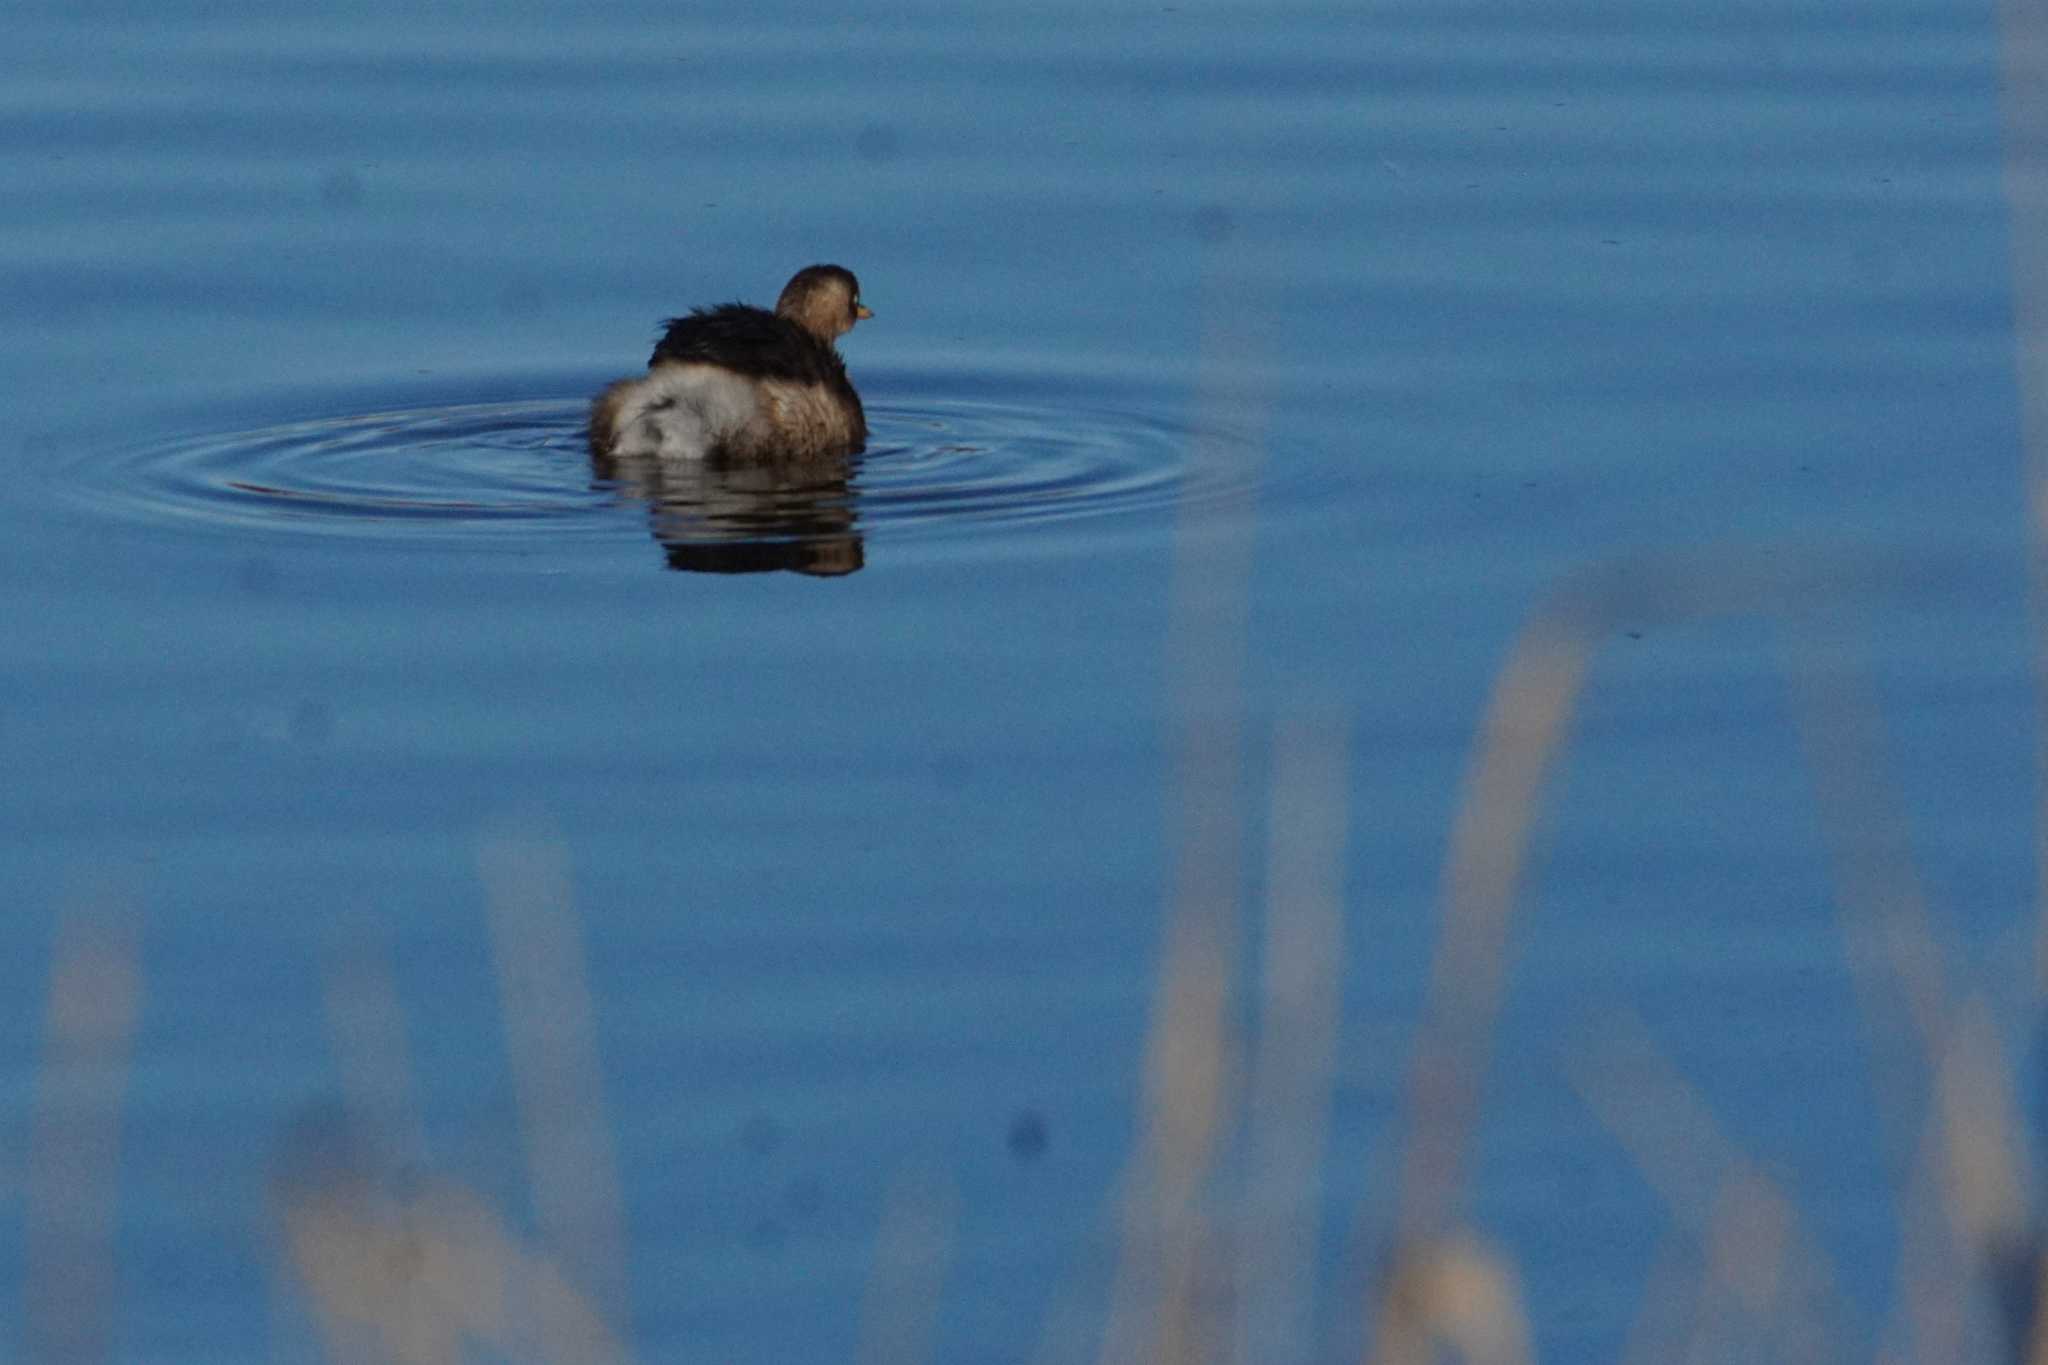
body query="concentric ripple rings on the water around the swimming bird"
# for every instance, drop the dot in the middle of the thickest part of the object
(519, 470)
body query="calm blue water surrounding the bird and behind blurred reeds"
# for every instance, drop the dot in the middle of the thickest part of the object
(1273, 361)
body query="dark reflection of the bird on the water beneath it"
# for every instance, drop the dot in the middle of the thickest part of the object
(755, 517)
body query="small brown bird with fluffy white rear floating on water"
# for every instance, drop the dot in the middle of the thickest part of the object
(742, 386)
